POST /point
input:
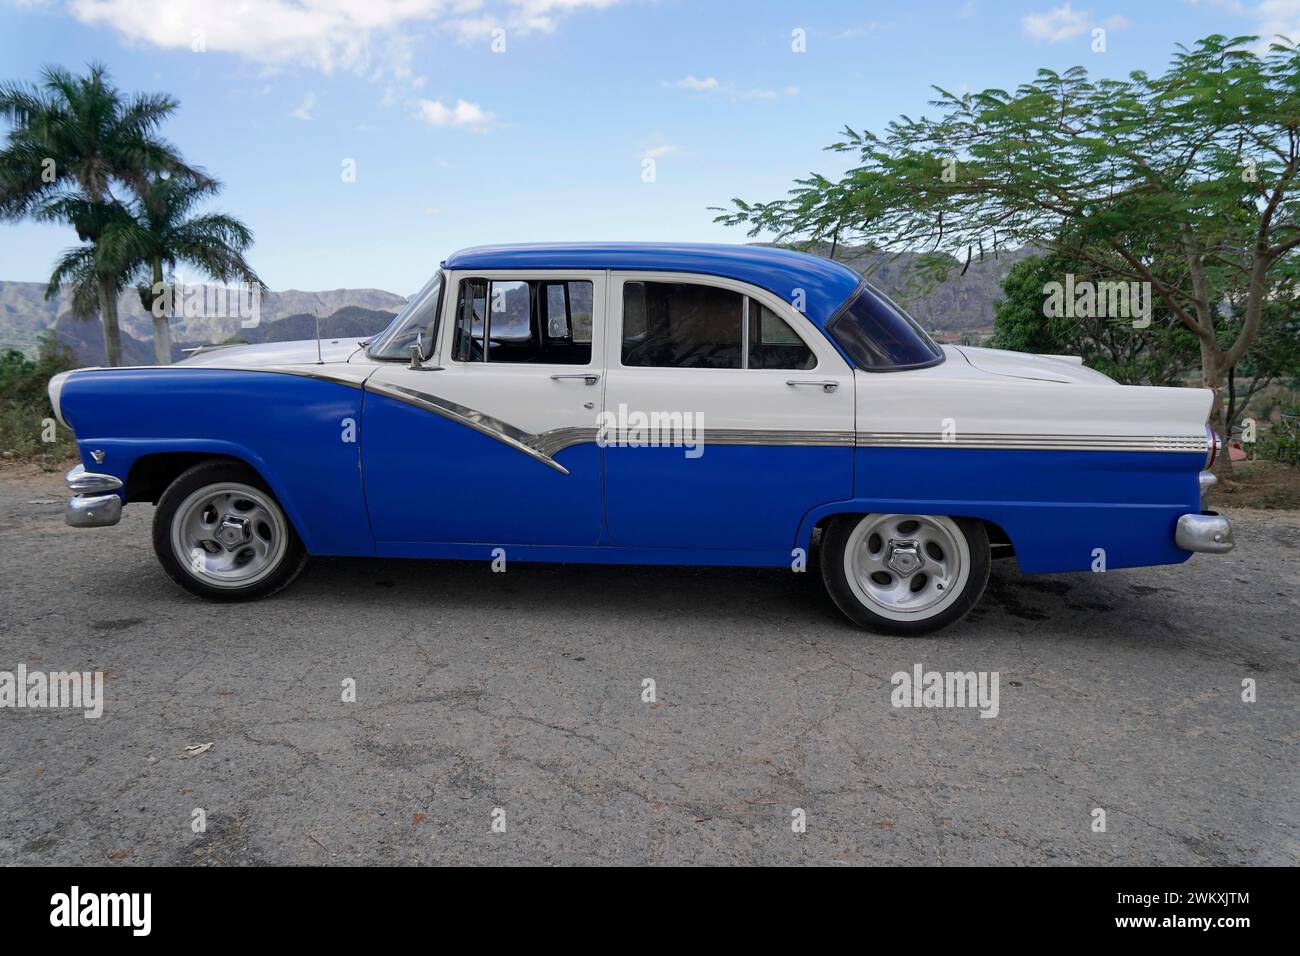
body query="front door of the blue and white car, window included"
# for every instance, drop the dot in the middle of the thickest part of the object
(492, 440)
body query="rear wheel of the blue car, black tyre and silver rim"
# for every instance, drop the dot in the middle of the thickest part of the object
(905, 574)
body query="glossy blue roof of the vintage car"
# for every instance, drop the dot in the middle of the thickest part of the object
(781, 271)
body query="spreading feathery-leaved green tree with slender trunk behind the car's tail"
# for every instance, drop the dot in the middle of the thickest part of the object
(1202, 162)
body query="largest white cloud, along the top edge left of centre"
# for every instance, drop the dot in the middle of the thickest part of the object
(326, 34)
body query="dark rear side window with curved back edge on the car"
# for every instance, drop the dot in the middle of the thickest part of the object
(691, 326)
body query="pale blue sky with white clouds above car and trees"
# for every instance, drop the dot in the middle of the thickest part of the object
(363, 141)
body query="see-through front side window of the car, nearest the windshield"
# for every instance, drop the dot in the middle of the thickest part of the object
(541, 322)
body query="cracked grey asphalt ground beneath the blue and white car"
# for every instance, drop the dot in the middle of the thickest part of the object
(523, 693)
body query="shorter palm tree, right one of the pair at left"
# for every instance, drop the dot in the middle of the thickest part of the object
(159, 232)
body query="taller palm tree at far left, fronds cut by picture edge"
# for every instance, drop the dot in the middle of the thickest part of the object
(73, 141)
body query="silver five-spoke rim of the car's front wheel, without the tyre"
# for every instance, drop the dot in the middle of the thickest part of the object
(229, 535)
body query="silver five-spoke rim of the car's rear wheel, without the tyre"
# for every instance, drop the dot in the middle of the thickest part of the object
(907, 566)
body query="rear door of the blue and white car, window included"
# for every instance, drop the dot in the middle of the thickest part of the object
(772, 397)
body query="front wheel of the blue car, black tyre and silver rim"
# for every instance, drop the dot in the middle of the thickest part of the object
(220, 534)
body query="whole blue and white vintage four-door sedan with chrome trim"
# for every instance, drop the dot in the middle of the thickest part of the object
(648, 404)
